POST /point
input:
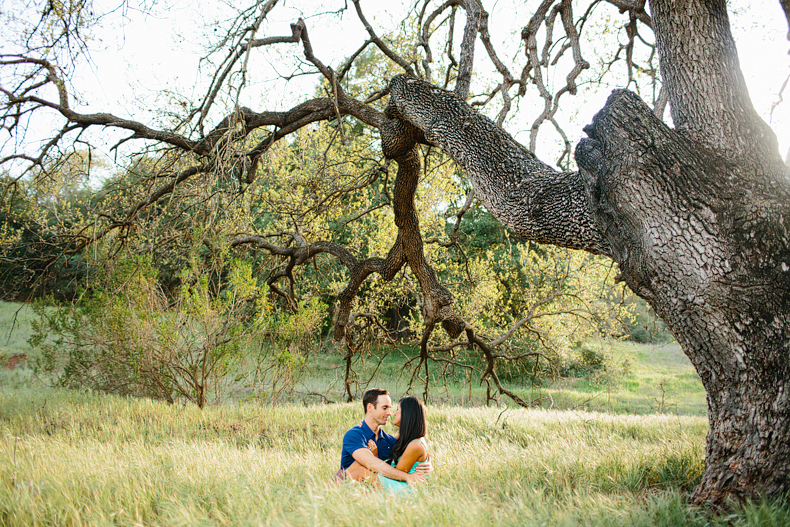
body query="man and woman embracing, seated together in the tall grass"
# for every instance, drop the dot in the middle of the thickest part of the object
(371, 454)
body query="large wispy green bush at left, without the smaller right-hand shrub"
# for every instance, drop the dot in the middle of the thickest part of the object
(126, 336)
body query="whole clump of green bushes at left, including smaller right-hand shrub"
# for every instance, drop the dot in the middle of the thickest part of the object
(127, 336)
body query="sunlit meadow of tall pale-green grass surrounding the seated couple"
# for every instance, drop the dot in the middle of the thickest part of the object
(79, 458)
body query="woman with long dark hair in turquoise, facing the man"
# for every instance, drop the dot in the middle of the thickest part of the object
(410, 449)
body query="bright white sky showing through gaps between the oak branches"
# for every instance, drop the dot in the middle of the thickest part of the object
(143, 54)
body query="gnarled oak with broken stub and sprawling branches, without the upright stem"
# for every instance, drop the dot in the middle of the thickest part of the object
(695, 216)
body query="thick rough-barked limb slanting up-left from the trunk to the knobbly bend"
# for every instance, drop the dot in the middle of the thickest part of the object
(525, 194)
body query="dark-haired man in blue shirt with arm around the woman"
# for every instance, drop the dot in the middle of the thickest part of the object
(366, 446)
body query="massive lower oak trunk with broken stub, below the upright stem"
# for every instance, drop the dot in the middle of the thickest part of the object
(706, 243)
